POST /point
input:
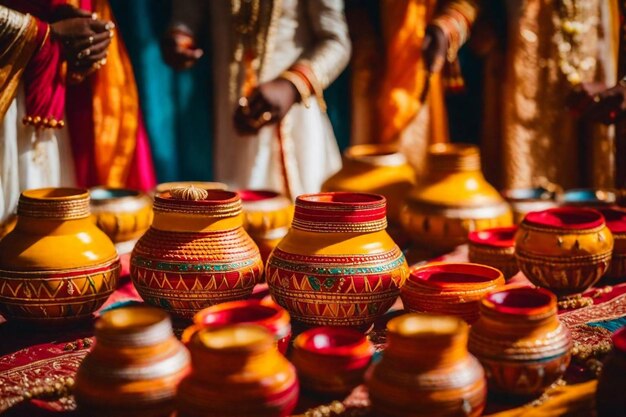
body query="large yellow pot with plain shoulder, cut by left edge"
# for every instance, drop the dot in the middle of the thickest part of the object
(56, 265)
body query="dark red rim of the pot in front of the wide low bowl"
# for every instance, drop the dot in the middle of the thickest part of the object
(524, 301)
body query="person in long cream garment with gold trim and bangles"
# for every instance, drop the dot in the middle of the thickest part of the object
(271, 63)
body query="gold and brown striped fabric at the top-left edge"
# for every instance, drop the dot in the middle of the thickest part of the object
(17, 45)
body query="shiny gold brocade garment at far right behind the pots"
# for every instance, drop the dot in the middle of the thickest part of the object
(541, 139)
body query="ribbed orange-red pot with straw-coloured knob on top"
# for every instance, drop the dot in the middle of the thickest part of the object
(196, 252)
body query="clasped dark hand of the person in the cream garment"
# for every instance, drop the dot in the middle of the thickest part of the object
(268, 104)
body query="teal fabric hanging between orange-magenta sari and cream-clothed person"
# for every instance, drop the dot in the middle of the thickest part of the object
(176, 106)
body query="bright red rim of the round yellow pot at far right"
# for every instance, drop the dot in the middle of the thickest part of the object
(565, 218)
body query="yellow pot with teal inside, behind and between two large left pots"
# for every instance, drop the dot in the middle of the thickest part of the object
(124, 215)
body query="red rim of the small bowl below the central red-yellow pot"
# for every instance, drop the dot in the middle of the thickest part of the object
(341, 342)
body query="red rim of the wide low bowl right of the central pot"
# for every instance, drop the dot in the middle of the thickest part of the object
(462, 271)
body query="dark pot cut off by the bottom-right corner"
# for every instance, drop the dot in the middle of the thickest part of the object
(610, 396)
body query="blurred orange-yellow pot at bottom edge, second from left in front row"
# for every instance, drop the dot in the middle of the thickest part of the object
(237, 372)
